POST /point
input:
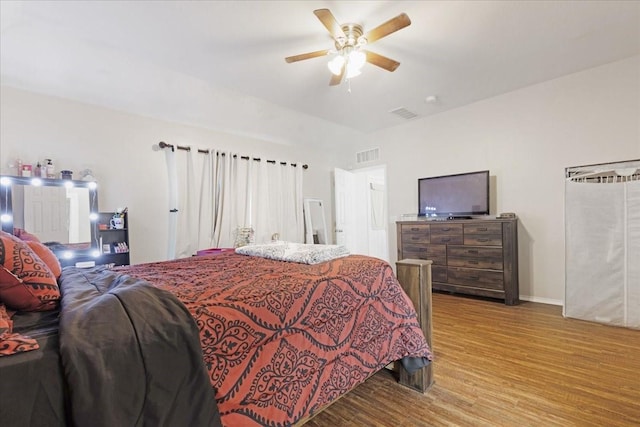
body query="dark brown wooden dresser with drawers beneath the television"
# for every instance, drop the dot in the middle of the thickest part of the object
(470, 256)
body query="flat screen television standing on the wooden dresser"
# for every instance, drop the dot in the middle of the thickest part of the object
(459, 195)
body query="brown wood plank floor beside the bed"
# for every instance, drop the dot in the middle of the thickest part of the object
(495, 365)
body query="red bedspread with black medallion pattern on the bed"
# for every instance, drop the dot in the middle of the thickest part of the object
(281, 340)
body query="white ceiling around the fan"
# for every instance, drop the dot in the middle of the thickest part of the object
(200, 61)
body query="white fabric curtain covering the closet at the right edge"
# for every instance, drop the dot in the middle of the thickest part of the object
(602, 243)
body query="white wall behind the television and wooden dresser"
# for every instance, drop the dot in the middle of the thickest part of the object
(525, 138)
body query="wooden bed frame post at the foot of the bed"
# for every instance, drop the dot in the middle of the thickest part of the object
(414, 276)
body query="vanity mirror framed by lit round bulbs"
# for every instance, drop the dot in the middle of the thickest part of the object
(57, 212)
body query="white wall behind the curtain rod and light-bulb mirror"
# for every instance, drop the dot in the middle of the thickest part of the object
(117, 147)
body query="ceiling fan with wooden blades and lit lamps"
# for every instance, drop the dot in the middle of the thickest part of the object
(350, 40)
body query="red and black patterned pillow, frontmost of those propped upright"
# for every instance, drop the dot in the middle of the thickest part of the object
(35, 278)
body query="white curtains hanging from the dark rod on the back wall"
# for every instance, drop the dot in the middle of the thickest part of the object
(232, 193)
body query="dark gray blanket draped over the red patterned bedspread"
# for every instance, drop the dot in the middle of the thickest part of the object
(131, 354)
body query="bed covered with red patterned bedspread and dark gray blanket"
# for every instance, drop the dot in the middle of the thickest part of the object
(224, 339)
